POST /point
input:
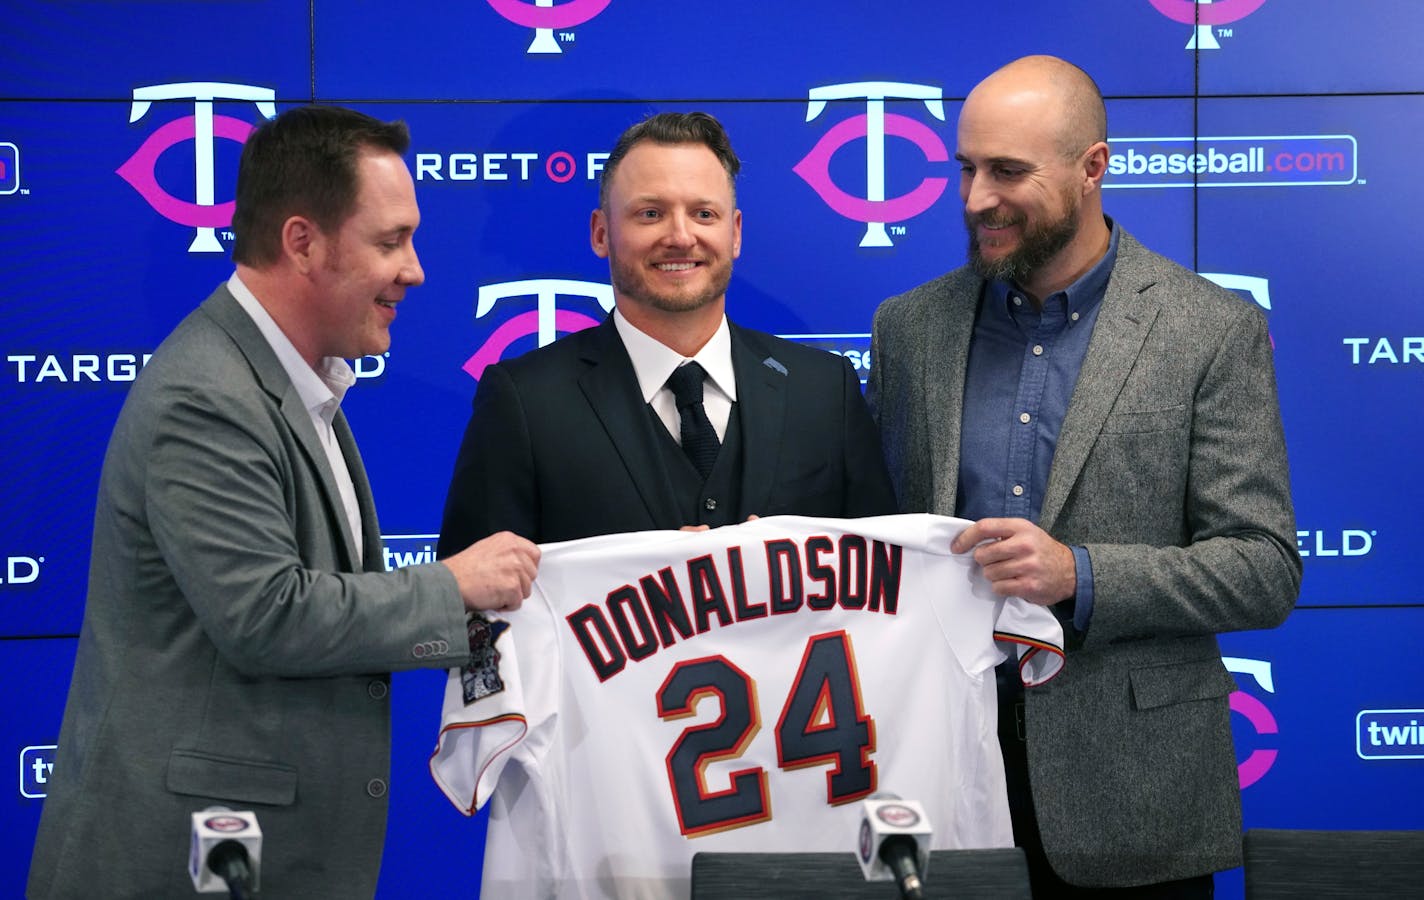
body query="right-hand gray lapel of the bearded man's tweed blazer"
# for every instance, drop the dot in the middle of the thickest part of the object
(1123, 327)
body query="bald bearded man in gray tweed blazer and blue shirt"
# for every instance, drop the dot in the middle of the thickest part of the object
(1110, 424)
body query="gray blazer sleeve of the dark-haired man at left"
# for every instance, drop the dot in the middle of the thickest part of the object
(250, 542)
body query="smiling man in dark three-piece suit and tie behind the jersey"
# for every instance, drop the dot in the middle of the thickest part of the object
(593, 435)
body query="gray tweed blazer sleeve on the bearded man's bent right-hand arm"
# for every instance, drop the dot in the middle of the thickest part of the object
(1238, 567)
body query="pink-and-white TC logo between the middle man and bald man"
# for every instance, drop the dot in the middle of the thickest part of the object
(875, 125)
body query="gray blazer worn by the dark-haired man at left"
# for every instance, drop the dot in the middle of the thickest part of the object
(233, 653)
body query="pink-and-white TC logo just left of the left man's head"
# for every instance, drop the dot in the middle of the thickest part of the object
(203, 129)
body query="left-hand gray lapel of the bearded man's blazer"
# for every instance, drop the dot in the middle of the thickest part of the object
(948, 351)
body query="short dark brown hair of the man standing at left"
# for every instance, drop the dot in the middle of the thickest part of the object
(303, 163)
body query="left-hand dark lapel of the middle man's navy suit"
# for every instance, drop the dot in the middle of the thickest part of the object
(612, 388)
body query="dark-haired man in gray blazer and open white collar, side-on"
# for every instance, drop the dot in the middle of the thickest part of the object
(240, 630)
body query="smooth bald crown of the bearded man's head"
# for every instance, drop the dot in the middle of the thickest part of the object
(1047, 93)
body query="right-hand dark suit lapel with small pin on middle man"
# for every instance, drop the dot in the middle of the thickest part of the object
(761, 399)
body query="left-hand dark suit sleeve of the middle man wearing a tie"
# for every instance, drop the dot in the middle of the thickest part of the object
(493, 486)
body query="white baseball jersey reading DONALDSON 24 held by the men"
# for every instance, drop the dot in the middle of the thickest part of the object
(737, 690)
